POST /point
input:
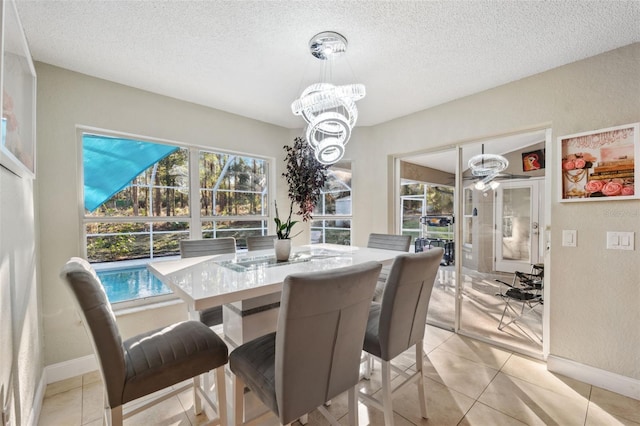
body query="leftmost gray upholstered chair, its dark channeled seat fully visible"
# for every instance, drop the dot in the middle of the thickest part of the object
(150, 361)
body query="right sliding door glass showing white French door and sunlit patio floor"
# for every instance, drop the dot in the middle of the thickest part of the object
(499, 236)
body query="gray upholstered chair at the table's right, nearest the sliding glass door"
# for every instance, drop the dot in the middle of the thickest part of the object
(398, 322)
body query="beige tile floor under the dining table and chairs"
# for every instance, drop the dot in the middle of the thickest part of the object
(468, 383)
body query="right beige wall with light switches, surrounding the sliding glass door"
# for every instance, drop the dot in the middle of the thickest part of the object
(595, 293)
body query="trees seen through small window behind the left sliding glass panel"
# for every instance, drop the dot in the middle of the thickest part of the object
(420, 199)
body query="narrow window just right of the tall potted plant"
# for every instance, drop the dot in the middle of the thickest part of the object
(332, 215)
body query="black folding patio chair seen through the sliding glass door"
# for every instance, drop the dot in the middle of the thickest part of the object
(522, 297)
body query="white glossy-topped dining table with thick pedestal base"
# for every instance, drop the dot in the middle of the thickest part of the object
(248, 284)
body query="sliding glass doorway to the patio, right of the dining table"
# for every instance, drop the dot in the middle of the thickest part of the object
(497, 232)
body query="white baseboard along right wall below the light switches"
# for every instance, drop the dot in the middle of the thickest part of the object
(594, 376)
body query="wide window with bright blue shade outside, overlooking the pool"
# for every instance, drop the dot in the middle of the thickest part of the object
(138, 201)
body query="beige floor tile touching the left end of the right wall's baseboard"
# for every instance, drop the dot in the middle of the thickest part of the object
(535, 371)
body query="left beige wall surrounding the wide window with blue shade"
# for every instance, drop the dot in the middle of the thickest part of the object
(66, 100)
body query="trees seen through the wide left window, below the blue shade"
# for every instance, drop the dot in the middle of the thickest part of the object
(153, 212)
